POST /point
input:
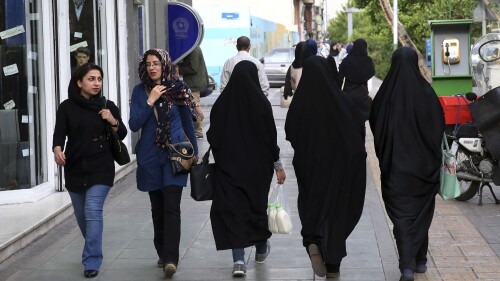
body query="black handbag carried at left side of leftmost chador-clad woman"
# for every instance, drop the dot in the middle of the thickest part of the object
(202, 179)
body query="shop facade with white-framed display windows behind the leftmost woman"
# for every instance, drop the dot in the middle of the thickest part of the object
(38, 43)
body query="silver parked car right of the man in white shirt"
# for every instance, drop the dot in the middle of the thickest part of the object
(276, 63)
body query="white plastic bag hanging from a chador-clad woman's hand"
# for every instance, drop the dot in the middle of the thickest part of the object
(278, 212)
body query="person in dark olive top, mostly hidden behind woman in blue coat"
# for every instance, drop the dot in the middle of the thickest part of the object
(195, 75)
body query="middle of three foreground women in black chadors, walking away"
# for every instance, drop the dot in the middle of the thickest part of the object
(330, 165)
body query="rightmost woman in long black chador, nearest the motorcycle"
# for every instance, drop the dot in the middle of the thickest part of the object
(407, 122)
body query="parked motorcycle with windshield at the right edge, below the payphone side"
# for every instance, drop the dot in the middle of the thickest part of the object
(476, 145)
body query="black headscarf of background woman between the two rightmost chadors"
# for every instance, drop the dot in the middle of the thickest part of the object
(358, 67)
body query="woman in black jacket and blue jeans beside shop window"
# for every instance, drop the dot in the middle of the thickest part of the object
(89, 168)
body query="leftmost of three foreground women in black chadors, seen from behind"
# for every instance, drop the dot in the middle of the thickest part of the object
(243, 139)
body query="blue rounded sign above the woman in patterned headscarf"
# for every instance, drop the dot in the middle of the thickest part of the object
(185, 30)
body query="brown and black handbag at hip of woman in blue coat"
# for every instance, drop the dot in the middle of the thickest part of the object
(181, 157)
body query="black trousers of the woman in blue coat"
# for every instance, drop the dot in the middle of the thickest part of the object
(166, 215)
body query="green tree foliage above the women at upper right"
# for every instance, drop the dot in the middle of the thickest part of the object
(372, 25)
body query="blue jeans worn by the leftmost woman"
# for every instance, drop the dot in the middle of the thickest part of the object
(88, 208)
